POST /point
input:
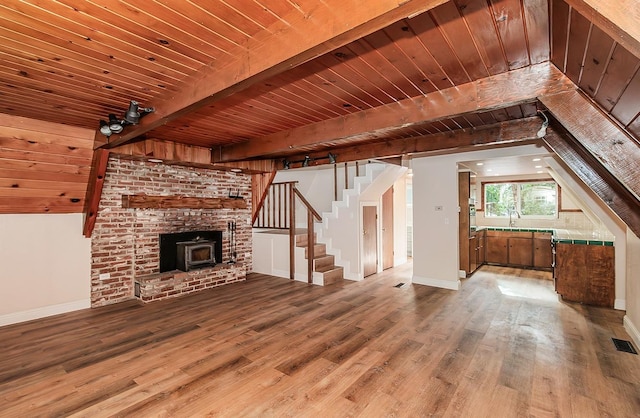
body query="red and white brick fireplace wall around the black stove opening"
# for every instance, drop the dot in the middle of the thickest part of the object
(126, 242)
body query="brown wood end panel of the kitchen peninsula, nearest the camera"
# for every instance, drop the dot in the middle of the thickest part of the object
(585, 273)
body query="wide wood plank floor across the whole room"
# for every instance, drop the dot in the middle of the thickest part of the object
(501, 346)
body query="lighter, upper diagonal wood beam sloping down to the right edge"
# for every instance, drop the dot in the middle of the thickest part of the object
(615, 150)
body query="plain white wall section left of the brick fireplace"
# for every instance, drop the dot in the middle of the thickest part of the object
(46, 266)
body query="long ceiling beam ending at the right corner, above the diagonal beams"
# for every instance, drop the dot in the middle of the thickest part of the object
(494, 92)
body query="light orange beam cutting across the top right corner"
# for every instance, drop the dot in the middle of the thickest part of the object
(617, 18)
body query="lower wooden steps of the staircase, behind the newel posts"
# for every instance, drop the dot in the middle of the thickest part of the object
(325, 272)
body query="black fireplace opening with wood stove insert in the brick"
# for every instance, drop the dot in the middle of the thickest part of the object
(190, 250)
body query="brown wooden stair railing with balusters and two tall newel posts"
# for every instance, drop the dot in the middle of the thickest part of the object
(278, 211)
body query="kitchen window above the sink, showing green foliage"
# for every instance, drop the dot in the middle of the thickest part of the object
(526, 199)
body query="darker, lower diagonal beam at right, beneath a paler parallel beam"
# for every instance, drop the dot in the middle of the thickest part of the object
(591, 172)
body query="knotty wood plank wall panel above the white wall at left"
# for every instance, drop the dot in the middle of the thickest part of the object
(44, 167)
